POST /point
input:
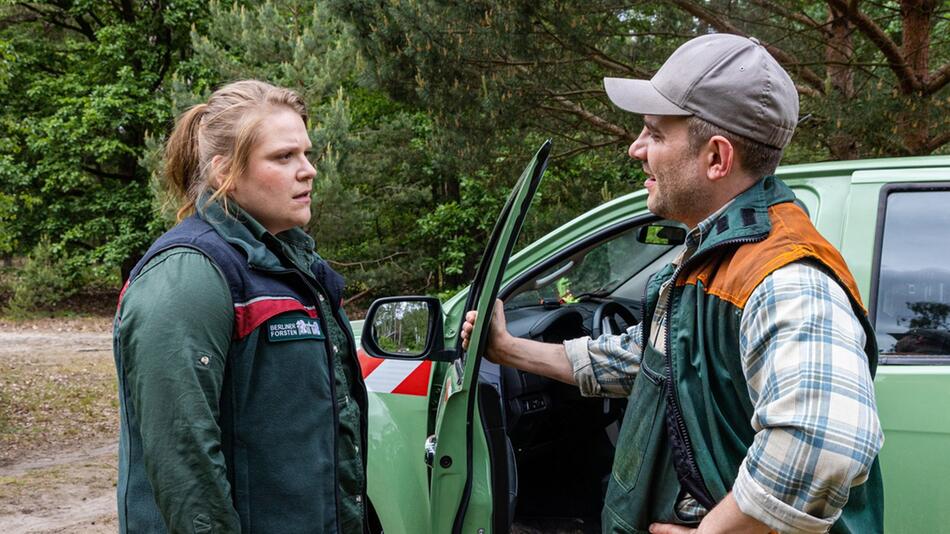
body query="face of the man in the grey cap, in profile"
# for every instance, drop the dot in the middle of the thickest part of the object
(675, 178)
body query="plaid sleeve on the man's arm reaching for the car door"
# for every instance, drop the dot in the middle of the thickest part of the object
(606, 366)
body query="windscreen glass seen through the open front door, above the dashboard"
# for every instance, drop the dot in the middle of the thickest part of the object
(597, 270)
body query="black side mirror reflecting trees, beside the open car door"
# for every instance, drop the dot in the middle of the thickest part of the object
(405, 328)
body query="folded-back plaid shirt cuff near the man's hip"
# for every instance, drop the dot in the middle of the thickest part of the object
(756, 501)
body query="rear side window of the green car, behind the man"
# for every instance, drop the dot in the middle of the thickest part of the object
(913, 300)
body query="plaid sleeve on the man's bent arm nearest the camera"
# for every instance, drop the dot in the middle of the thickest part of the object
(817, 430)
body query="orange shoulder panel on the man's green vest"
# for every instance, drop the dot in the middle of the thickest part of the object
(735, 275)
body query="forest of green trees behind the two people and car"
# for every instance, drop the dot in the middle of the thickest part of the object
(422, 113)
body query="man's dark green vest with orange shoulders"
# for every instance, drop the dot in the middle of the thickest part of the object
(688, 426)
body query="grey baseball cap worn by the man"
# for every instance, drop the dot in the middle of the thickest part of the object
(727, 80)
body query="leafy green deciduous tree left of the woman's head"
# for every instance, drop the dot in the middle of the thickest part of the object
(80, 87)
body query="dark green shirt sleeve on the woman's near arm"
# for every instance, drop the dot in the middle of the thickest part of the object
(175, 330)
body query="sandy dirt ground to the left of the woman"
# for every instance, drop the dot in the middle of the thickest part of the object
(58, 426)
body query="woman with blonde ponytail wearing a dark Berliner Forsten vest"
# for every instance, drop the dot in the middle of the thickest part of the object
(242, 404)
